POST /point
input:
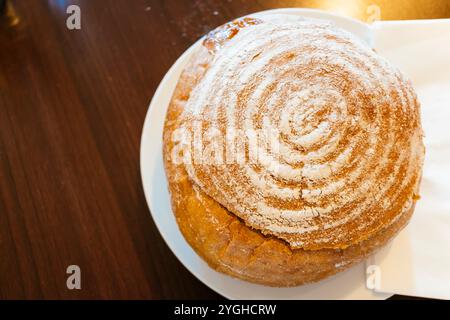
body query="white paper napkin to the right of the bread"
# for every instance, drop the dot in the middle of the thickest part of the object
(418, 261)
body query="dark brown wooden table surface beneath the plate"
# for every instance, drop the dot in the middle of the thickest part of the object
(72, 106)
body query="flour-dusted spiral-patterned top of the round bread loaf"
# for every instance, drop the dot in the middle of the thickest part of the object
(339, 141)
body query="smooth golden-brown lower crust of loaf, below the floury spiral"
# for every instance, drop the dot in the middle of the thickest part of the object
(224, 241)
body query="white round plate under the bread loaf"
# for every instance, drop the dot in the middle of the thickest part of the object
(349, 284)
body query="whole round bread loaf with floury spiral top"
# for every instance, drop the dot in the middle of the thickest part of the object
(292, 150)
